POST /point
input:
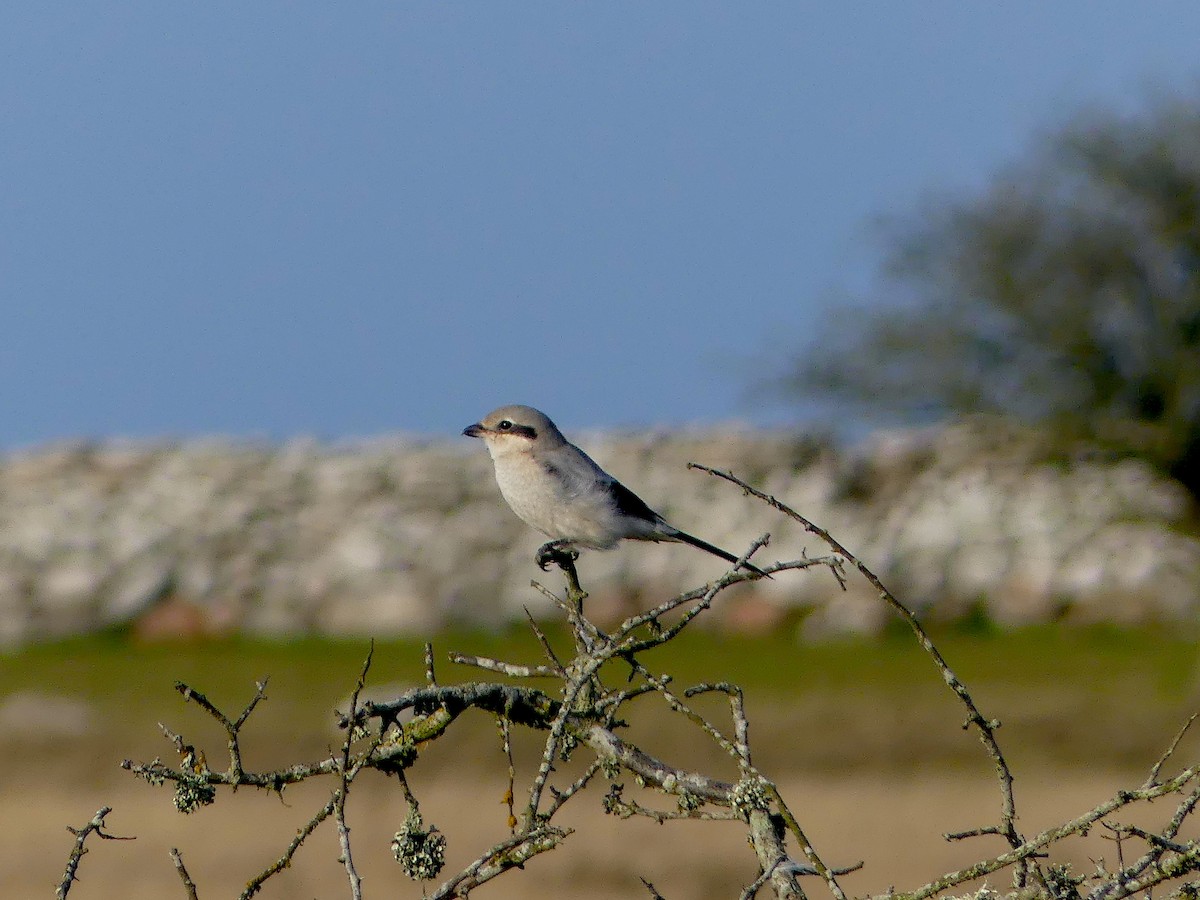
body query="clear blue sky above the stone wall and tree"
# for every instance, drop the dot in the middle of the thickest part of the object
(344, 220)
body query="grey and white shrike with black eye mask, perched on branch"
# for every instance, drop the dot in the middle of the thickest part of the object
(557, 489)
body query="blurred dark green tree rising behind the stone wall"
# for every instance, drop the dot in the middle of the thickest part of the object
(1066, 295)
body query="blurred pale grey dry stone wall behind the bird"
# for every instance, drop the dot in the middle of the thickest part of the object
(401, 536)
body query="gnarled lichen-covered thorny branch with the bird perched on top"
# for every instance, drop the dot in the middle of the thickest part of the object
(583, 713)
